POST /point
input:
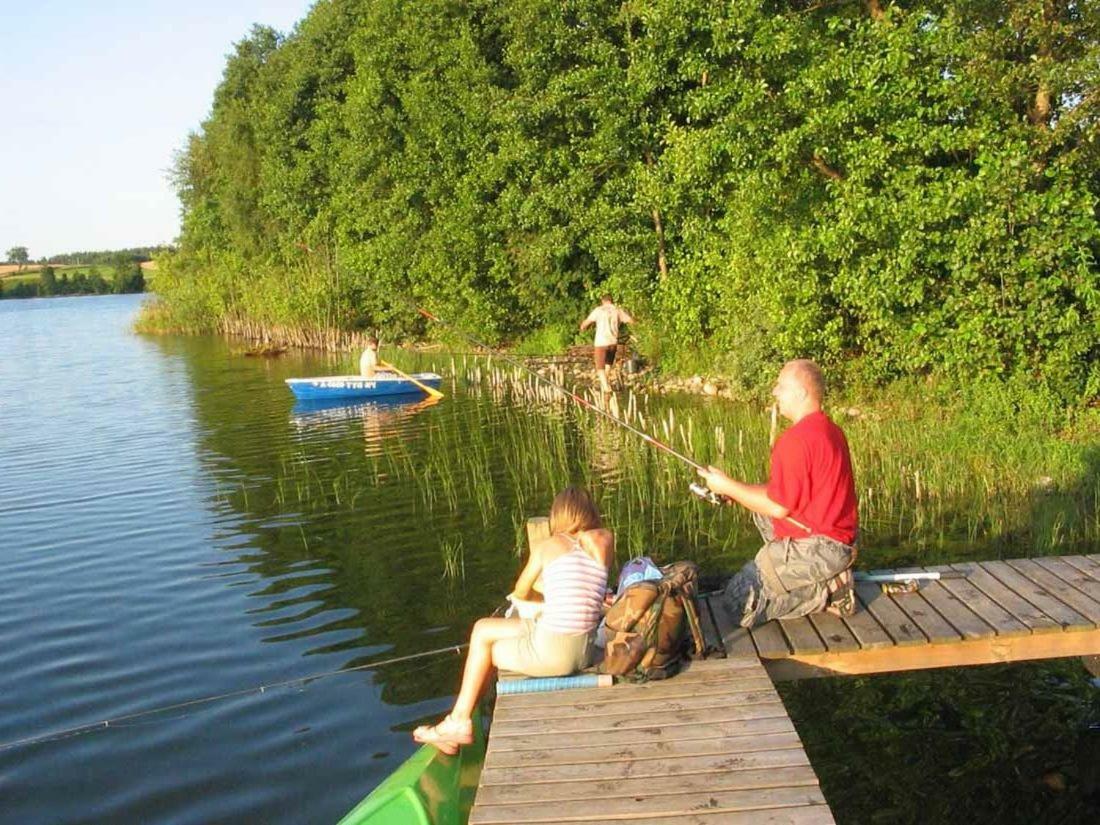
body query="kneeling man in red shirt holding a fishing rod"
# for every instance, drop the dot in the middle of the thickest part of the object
(806, 513)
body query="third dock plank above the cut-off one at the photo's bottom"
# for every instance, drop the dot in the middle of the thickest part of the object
(642, 771)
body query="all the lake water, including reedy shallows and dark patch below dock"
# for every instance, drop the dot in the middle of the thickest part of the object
(174, 527)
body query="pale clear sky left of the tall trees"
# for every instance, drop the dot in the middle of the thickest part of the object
(96, 98)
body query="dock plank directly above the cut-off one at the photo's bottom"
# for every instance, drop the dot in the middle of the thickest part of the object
(625, 808)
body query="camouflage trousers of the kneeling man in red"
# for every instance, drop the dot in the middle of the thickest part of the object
(787, 579)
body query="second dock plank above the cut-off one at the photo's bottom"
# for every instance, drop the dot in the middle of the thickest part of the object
(718, 778)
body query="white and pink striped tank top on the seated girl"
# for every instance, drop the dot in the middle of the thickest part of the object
(574, 586)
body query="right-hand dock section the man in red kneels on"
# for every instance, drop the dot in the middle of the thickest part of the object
(1013, 611)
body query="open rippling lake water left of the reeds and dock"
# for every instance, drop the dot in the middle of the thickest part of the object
(147, 564)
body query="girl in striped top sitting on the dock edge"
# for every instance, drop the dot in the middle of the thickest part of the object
(574, 565)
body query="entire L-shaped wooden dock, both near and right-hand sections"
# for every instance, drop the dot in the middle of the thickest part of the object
(716, 745)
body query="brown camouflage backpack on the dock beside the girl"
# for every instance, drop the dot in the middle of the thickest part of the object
(652, 626)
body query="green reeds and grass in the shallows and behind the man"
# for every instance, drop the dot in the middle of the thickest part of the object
(934, 483)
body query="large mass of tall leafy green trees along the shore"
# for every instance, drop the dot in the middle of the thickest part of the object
(908, 193)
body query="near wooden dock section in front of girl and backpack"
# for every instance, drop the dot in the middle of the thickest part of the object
(712, 745)
